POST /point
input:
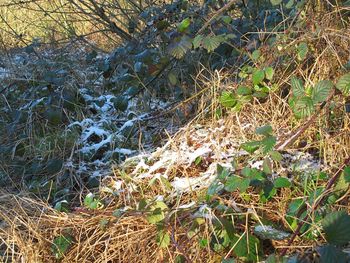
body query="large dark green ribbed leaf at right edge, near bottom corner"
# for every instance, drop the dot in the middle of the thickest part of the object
(336, 226)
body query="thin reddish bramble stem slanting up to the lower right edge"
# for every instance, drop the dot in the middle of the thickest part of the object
(317, 203)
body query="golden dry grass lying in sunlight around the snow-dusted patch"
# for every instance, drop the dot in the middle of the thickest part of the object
(28, 226)
